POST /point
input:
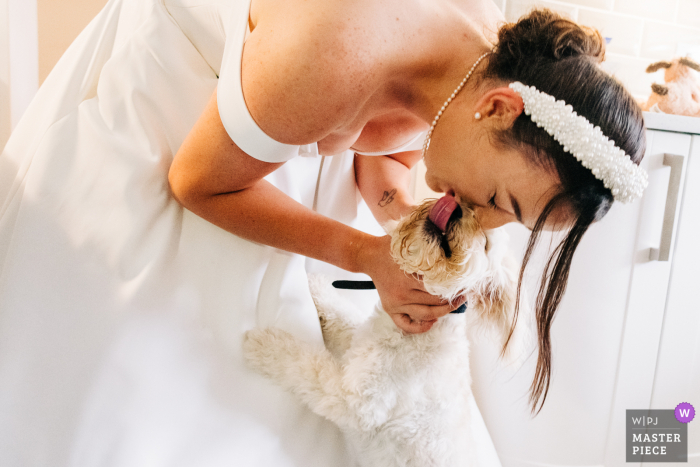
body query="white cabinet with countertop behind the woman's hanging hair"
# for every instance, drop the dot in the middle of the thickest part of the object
(626, 334)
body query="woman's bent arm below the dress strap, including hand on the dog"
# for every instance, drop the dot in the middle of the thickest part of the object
(216, 180)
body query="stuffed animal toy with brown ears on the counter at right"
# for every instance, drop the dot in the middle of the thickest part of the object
(680, 94)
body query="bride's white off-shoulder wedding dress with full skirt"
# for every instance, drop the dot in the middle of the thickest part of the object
(121, 314)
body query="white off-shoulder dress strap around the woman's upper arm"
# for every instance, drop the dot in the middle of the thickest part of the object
(233, 111)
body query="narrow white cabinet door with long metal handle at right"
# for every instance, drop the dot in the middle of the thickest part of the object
(637, 359)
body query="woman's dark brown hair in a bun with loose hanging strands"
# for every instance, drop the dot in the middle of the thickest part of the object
(562, 59)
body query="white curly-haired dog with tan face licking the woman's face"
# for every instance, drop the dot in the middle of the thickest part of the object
(402, 400)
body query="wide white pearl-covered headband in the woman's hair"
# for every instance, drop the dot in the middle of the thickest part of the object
(587, 143)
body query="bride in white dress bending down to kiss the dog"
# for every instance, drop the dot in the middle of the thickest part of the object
(287, 130)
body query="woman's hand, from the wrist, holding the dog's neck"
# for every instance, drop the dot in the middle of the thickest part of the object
(403, 296)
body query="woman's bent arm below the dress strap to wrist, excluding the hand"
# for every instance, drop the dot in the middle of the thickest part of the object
(216, 180)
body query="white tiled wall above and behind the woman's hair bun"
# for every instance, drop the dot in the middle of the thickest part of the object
(640, 31)
